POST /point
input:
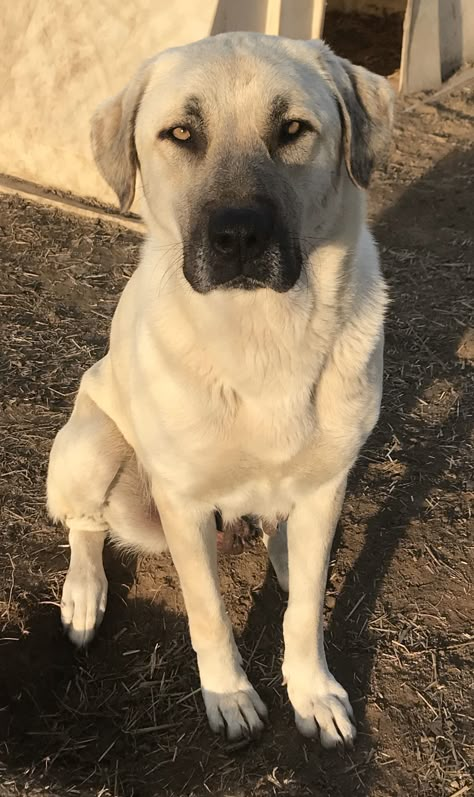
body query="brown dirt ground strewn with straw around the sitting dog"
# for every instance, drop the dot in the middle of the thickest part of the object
(125, 719)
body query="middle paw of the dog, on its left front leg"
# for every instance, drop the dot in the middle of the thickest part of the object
(236, 715)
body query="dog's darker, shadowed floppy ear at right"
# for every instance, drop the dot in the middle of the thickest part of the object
(365, 103)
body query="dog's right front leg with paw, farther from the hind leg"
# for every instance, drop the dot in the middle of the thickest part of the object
(318, 699)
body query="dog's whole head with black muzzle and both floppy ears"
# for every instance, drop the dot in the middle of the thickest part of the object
(242, 142)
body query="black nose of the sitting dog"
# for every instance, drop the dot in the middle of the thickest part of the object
(240, 234)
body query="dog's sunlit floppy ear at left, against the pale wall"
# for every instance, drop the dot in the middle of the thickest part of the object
(113, 137)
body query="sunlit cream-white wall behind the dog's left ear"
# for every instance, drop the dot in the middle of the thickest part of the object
(59, 60)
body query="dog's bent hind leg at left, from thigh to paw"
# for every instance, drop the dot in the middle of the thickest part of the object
(86, 457)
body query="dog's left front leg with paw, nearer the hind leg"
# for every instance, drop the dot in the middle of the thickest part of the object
(233, 707)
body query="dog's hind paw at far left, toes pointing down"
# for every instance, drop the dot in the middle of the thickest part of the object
(83, 603)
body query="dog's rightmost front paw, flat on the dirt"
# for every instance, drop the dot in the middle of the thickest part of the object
(322, 705)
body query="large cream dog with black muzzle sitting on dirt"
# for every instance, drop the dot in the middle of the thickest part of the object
(244, 371)
